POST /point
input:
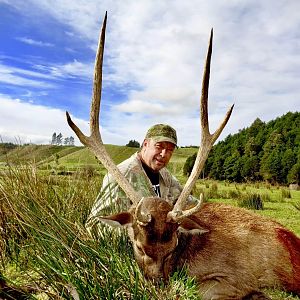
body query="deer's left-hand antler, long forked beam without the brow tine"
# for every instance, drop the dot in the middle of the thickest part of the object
(94, 141)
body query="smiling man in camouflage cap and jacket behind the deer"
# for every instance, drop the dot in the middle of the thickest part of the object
(146, 171)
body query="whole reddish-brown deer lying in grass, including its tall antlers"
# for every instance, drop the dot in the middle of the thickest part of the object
(231, 252)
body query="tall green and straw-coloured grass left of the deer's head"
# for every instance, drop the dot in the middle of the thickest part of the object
(44, 240)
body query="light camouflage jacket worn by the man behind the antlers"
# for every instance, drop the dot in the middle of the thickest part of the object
(112, 199)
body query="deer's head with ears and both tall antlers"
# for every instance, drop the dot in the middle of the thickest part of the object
(153, 224)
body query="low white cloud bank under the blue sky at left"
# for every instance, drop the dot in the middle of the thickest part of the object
(28, 123)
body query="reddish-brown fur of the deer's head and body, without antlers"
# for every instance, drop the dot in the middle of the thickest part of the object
(231, 252)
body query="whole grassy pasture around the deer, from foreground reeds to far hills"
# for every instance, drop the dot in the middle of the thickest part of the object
(44, 245)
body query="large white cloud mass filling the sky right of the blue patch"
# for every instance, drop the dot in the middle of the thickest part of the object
(157, 48)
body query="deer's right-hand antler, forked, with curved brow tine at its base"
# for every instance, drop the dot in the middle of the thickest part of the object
(207, 141)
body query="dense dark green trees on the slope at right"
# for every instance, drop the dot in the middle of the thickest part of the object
(264, 151)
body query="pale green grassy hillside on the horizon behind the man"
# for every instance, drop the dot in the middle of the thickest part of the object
(72, 158)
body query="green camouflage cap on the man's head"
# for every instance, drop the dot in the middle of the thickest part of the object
(162, 133)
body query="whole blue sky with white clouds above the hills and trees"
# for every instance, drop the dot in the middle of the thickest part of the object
(153, 65)
